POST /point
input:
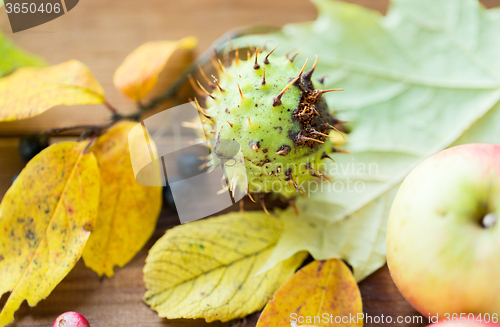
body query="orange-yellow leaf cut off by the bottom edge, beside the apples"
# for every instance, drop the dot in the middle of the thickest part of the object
(323, 293)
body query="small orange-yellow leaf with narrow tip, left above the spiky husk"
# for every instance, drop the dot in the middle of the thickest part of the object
(138, 74)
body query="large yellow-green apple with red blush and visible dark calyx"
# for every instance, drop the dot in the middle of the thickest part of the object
(441, 258)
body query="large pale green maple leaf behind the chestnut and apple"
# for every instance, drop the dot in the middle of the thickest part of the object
(423, 78)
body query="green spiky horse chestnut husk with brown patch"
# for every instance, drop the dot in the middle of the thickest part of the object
(281, 122)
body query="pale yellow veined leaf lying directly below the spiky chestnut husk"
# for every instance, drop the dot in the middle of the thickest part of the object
(206, 269)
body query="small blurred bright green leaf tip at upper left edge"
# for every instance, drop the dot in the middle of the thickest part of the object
(13, 57)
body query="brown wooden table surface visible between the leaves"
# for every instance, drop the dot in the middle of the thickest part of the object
(100, 34)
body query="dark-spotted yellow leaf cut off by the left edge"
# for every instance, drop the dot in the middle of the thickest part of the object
(45, 220)
